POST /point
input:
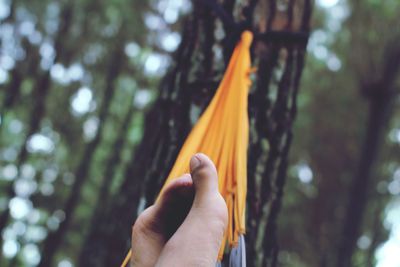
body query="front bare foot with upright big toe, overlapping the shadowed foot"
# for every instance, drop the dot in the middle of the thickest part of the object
(197, 241)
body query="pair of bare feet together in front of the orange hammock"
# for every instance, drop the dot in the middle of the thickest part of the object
(186, 226)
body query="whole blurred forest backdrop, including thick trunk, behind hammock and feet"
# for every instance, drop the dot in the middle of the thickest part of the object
(96, 98)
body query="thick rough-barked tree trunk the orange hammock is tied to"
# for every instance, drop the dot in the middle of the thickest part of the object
(186, 87)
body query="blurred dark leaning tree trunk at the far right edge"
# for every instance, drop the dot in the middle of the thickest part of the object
(380, 94)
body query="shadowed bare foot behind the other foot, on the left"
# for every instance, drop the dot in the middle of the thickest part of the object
(157, 223)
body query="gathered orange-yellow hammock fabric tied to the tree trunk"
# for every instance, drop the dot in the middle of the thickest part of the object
(222, 133)
